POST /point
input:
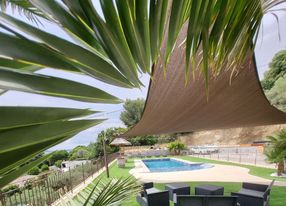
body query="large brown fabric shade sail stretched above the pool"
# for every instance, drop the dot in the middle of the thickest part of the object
(173, 107)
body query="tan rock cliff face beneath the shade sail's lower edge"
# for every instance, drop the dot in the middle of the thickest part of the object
(234, 136)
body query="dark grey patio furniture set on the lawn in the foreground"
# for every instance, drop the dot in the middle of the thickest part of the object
(205, 195)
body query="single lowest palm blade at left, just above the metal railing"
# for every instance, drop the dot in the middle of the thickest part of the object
(24, 141)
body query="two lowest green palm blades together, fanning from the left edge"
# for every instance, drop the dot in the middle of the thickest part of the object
(27, 131)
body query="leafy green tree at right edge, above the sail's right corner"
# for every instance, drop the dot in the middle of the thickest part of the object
(277, 70)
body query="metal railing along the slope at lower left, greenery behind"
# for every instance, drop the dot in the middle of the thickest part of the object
(50, 187)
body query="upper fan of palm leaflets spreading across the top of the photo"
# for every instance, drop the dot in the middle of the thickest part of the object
(128, 36)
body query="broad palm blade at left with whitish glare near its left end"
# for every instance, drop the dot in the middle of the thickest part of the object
(40, 84)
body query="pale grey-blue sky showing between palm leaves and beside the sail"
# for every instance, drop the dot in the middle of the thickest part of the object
(268, 44)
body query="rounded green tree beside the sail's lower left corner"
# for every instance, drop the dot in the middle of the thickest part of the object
(133, 110)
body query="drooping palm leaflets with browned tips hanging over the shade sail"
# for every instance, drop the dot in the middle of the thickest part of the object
(221, 33)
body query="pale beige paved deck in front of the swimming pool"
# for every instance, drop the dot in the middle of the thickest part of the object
(218, 173)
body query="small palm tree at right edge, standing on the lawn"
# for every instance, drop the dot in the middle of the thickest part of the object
(276, 151)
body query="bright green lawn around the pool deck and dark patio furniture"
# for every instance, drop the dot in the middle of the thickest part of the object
(278, 197)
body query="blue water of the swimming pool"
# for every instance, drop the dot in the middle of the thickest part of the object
(171, 165)
